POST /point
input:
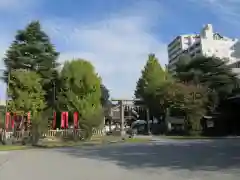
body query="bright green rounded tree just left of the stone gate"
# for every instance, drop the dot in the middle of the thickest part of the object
(81, 92)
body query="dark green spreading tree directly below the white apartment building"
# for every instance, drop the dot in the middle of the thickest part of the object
(210, 72)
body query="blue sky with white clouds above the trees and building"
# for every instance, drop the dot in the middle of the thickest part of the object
(116, 35)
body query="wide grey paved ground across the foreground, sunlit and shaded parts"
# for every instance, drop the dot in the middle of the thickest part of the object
(167, 160)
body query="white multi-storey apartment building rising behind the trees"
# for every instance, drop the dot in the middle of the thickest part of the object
(207, 43)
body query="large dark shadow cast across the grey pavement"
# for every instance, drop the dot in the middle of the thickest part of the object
(209, 156)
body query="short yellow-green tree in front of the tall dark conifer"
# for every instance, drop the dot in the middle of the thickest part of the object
(27, 95)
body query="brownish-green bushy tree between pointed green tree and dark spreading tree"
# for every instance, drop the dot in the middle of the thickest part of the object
(183, 99)
